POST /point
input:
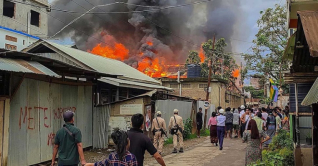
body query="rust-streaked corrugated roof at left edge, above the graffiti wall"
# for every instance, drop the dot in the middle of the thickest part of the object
(17, 65)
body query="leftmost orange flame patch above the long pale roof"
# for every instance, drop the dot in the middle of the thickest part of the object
(119, 52)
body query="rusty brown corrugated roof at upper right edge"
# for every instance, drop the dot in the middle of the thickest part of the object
(309, 21)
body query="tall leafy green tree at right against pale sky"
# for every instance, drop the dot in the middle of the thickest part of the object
(269, 45)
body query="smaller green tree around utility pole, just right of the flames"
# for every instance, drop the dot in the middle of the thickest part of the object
(223, 63)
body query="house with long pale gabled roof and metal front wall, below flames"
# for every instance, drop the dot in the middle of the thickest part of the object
(115, 99)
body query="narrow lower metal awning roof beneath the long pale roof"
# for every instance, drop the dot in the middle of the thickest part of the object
(126, 83)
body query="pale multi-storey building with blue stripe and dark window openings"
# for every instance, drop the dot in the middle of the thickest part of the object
(22, 23)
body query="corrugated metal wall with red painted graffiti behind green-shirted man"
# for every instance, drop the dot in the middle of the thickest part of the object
(36, 115)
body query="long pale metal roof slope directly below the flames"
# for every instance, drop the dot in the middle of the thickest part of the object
(103, 64)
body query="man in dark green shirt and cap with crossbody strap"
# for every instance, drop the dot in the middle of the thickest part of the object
(68, 143)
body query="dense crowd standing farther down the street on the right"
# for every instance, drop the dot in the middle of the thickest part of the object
(256, 127)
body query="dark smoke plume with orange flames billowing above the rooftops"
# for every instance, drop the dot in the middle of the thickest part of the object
(166, 33)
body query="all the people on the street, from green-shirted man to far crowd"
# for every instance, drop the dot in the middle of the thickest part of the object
(256, 127)
